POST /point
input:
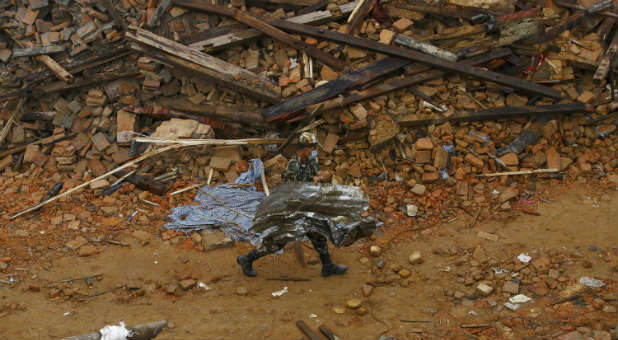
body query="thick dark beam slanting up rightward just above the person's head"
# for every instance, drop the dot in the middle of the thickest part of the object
(333, 88)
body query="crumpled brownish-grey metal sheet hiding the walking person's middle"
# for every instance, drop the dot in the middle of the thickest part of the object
(294, 210)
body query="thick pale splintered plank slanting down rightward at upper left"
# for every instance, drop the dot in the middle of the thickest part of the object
(227, 74)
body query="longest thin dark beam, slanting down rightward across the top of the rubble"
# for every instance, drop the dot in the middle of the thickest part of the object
(394, 51)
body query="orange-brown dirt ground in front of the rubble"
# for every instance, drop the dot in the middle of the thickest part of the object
(577, 231)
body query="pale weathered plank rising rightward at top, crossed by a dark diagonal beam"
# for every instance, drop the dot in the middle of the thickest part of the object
(225, 40)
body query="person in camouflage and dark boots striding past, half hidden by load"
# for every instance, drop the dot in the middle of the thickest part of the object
(302, 168)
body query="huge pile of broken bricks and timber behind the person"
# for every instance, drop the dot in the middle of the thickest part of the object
(434, 109)
